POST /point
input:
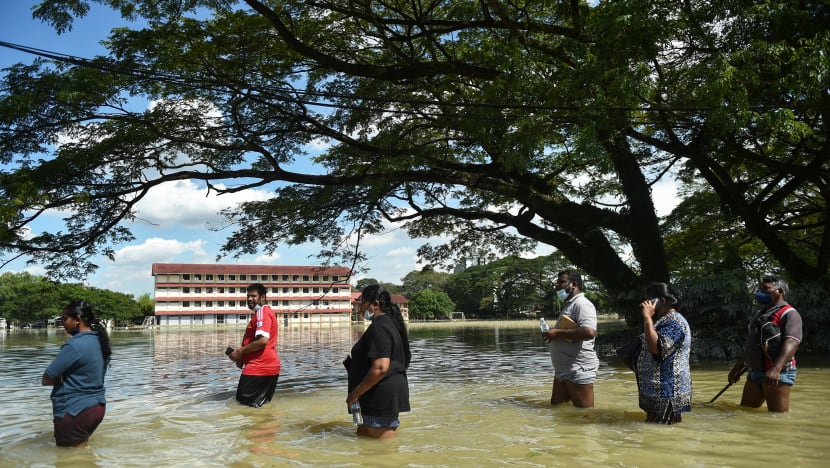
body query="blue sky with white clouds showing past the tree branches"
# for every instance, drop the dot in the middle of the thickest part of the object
(178, 213)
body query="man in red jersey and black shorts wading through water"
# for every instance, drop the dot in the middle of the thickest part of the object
(258, 355)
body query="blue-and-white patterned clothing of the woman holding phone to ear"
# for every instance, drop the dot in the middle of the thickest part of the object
(664, 381)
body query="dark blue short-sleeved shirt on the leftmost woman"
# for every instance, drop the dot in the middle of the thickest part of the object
(79, 371)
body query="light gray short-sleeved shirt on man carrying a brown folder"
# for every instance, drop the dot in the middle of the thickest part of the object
(579, 355)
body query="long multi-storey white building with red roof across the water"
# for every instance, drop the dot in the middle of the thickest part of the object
(196, 294)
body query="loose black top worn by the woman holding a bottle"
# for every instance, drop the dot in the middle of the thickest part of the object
(390, 396)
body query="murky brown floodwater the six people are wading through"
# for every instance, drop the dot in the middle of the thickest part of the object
(479, 392)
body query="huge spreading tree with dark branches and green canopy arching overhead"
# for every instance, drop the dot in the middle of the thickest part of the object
(497, 124)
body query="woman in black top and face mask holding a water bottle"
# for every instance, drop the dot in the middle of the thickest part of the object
(377, 368)
